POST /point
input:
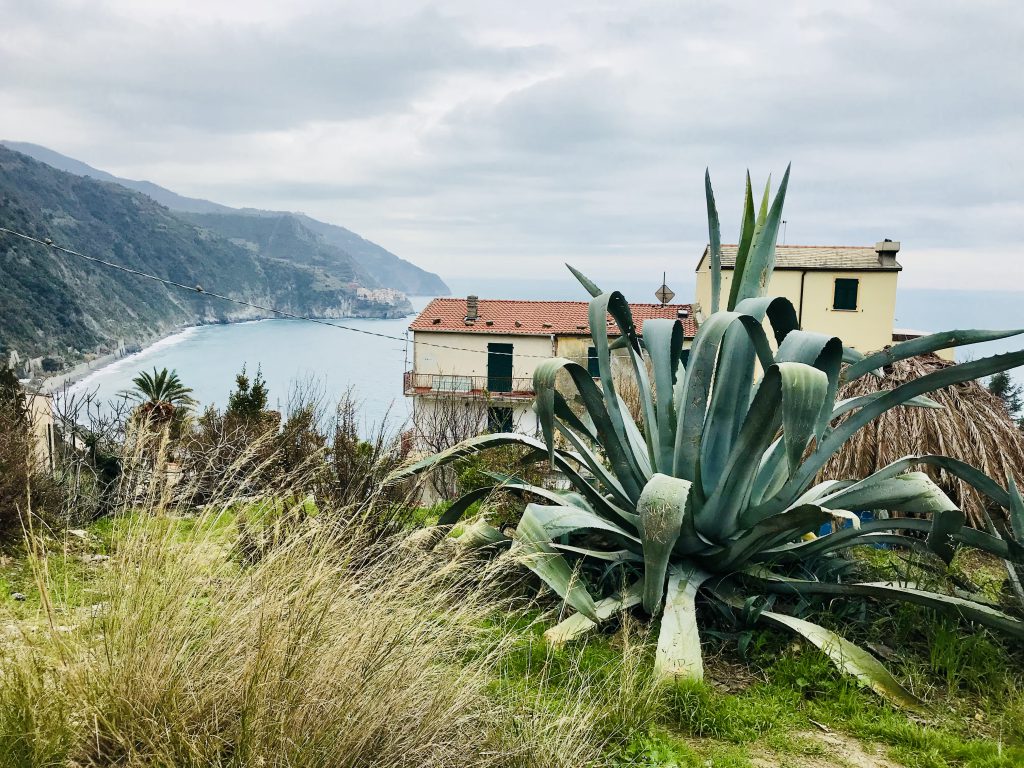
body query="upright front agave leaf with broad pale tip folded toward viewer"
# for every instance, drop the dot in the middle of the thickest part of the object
(663, 506)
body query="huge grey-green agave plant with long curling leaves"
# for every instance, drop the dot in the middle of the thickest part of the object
(714, 492)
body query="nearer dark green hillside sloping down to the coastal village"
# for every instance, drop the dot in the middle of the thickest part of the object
(60, 307)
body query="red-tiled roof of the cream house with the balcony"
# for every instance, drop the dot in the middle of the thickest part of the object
(514, 317)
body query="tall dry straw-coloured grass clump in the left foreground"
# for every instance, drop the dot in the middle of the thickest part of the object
(339, 647)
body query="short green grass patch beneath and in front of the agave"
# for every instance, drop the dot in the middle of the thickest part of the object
(794, 698)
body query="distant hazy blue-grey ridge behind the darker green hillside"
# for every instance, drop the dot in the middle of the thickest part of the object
(378, 266)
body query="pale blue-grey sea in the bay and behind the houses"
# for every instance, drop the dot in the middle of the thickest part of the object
(368, 358)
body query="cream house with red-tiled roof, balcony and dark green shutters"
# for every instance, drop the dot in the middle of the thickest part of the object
(476, 358)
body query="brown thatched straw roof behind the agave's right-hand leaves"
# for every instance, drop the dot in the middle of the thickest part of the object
(972, 426)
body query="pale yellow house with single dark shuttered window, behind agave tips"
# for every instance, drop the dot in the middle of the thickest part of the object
(844, 291)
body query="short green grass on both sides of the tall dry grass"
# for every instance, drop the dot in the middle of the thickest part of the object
(788, 705)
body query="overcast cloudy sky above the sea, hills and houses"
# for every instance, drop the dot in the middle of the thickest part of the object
(508, 138)
